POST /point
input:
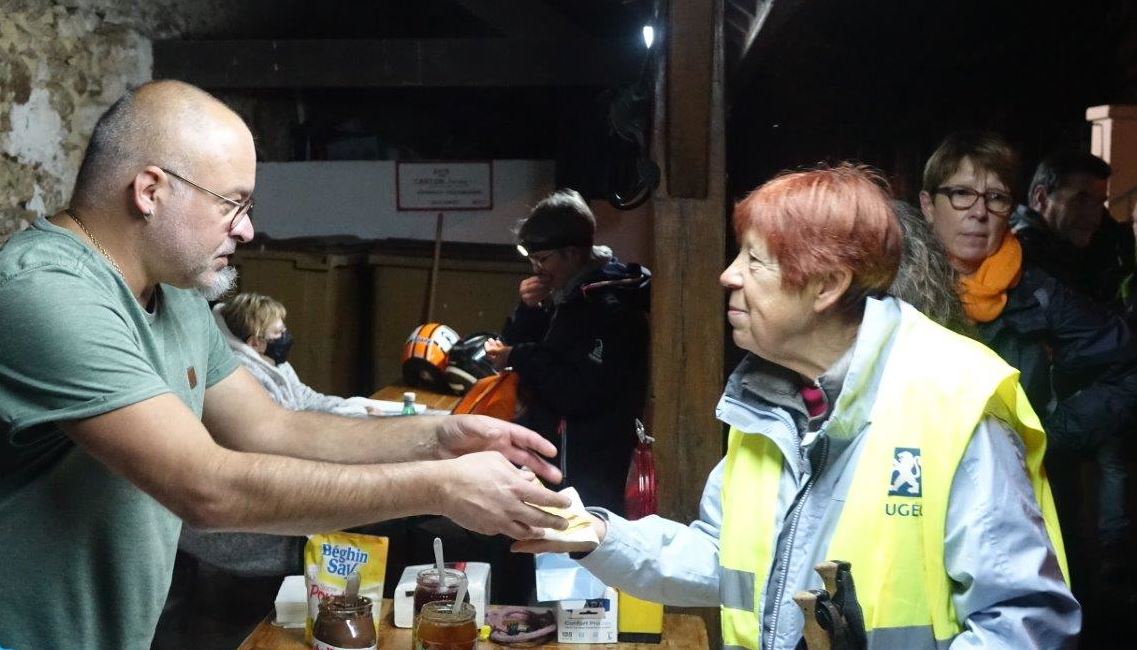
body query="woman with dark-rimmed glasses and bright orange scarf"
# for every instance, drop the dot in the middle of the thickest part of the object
(1076, 360)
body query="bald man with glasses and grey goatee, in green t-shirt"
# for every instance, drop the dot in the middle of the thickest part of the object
(123, 413)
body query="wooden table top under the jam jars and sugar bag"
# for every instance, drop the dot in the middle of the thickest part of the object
(680, 631)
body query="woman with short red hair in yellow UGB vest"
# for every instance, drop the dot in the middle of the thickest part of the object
(860, 431)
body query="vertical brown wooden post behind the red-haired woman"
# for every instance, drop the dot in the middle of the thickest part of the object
(688, 307)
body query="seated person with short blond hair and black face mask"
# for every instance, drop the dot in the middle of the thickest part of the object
(254, 328)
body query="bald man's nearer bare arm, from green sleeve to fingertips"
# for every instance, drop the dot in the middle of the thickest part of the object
(163, 449)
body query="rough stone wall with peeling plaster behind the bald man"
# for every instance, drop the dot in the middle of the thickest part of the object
(61, 68)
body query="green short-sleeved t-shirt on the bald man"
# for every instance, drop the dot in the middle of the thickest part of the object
(86, 557)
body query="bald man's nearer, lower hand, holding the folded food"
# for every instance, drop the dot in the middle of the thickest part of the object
(486, 494)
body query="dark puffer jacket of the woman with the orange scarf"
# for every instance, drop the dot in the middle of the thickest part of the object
(1077, 361)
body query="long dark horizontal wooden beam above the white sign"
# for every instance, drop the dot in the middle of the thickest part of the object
(397, 63)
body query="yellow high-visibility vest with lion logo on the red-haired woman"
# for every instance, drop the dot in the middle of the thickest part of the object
(907, 465)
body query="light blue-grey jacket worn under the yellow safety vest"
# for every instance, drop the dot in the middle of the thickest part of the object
(1009, 589)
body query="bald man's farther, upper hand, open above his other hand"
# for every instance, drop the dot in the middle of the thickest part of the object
(461, 435)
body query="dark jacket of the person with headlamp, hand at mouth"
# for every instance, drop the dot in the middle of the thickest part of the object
(586, 361)
